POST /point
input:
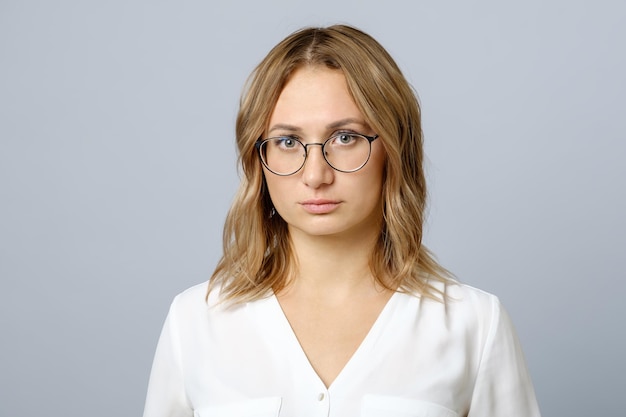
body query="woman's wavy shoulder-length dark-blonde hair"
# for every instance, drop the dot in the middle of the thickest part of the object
(258, 257)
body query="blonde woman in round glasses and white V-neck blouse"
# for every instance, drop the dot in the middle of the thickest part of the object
(325, 302)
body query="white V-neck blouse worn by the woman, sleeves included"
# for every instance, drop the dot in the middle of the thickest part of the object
(421, 358)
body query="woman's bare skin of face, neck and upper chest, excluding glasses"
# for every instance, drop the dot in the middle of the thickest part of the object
(334, 221)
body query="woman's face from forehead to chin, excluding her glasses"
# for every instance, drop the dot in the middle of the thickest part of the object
(317, 200)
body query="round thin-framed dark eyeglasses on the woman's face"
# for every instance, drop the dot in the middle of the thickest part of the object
(344, 152)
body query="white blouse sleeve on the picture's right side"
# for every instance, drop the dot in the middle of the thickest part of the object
(503, 386)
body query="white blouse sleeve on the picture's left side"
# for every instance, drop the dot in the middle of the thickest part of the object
(166, 390)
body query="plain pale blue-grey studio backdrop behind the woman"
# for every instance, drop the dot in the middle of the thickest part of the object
(117, 166)
